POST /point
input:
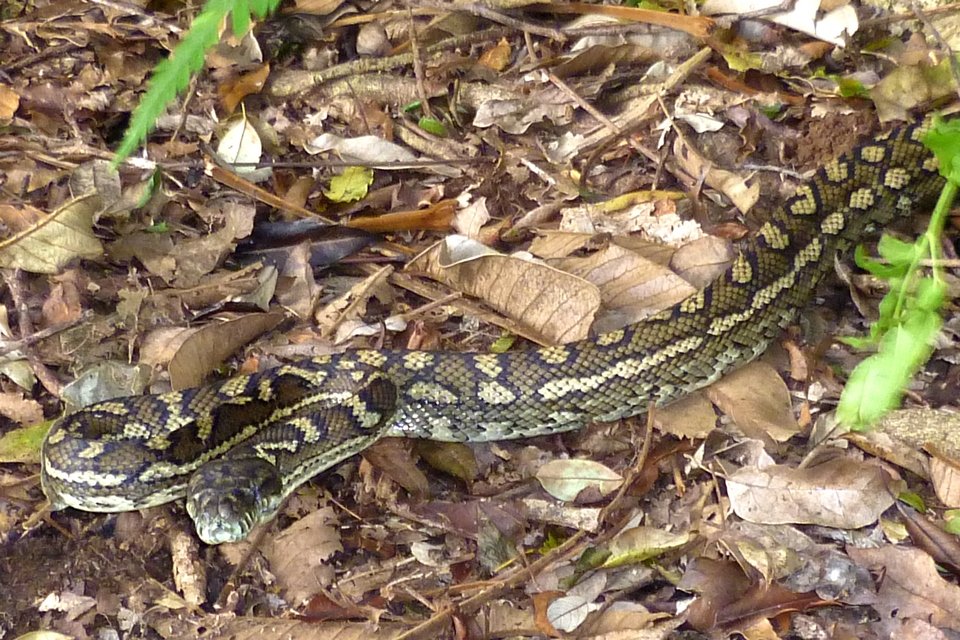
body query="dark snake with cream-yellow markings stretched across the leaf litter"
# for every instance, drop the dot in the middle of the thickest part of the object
(237, 448)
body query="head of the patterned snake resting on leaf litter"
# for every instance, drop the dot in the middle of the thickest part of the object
(226, 498)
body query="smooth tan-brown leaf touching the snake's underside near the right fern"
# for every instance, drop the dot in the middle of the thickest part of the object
(757, 400)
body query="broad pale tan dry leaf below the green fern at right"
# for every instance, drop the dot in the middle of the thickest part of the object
(841, 493)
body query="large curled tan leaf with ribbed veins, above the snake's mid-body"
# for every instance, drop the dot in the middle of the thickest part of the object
(556, 305)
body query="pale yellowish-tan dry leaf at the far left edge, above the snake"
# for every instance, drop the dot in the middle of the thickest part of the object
(48, 244)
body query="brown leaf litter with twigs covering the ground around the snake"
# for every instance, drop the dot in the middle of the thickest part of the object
(597, 161)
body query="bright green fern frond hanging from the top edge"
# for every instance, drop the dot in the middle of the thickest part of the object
(171, 76)
